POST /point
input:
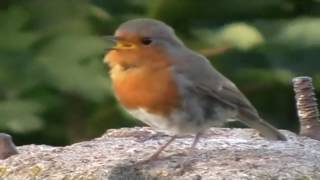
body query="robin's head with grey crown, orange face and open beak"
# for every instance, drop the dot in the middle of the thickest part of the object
(141, 41)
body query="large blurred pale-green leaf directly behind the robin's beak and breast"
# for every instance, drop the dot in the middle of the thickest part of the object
(72, 64)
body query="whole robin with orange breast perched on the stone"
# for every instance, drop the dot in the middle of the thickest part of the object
(171, 88)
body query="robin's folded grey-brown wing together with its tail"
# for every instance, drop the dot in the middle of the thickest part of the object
(207, 80)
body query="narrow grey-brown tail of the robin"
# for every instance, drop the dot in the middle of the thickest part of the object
(266, 129)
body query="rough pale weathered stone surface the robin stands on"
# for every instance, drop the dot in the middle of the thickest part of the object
(221, 154)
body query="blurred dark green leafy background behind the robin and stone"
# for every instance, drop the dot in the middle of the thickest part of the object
(54, 88)
